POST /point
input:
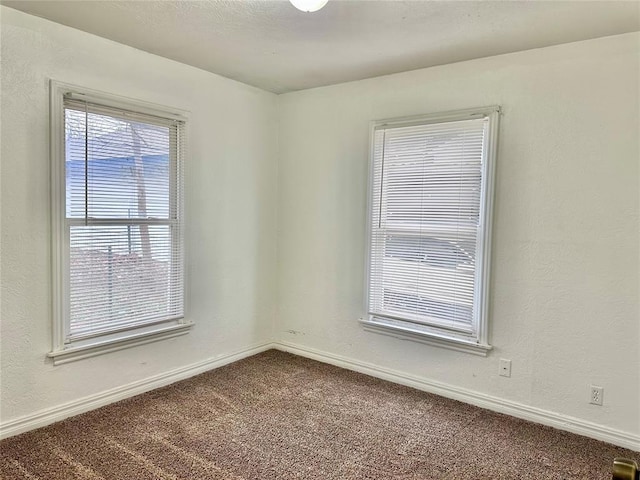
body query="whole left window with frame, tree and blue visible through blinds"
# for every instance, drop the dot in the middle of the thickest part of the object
(117, 220)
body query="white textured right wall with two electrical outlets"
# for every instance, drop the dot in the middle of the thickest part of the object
(564, 286)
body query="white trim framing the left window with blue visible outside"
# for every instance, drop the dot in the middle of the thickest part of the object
(63, 353)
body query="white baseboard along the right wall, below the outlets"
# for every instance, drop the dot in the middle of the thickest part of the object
(533, 414)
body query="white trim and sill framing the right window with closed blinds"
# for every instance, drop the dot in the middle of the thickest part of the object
(475, 344)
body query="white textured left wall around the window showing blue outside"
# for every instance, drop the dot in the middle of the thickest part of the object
(231, 212)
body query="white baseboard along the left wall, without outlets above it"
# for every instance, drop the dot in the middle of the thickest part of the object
(91, 402)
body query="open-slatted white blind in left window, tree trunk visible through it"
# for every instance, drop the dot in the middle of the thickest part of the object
(123, 202)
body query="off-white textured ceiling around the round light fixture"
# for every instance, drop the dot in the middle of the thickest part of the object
(271, 45)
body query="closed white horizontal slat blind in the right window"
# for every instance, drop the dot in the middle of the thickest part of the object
(427, 182)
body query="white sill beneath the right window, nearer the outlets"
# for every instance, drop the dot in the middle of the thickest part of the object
(438, 340)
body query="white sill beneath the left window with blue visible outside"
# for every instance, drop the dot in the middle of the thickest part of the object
(72, 354)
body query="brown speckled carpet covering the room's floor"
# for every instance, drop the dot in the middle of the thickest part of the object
(278, 416)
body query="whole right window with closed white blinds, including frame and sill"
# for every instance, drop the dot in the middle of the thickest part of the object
(430, 218)
